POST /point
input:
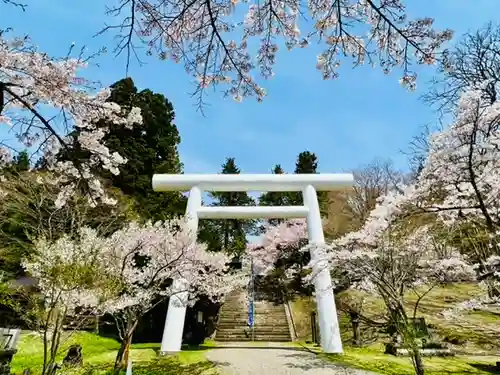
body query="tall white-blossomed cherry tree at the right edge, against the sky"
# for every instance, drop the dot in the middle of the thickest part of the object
(460, 179)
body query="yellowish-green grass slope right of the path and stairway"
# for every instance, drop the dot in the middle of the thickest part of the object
(472, 336)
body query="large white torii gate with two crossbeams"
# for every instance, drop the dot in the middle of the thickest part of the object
(308, 184)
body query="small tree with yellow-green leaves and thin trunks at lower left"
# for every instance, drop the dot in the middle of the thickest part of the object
(69, 274)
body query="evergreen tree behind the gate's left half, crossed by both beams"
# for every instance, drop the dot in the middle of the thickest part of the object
(228, 235)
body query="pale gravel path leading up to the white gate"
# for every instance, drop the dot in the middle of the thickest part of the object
(239, 360)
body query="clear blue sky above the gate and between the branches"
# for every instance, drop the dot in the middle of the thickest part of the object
(347, 122)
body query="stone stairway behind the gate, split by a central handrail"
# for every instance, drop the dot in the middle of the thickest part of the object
(270, 321)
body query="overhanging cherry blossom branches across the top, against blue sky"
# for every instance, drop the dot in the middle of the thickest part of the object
(215, 41)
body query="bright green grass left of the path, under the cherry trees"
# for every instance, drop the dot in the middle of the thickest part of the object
(99, 354)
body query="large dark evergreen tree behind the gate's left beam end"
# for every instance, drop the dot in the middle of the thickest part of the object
(149, 148)
